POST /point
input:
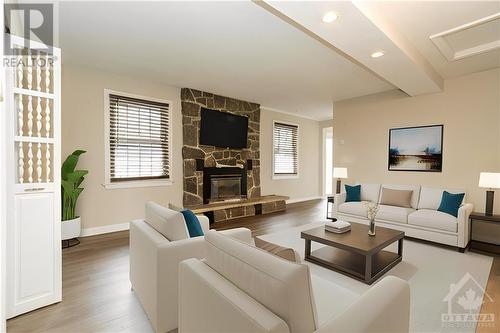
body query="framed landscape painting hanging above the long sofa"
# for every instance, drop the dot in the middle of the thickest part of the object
(416, 149)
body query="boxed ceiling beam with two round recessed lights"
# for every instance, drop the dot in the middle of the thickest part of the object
(360, 31)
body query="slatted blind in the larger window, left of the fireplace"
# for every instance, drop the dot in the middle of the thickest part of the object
(138, 139)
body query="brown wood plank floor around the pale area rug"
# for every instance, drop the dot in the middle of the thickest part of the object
(96, 287)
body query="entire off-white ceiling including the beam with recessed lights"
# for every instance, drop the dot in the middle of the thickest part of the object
(278, 54)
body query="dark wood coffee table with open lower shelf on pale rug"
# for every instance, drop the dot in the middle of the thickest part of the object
(354, 253)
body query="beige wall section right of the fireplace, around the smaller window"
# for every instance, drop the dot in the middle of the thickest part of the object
(307, 185)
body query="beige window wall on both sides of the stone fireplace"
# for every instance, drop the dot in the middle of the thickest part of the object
(83, 128)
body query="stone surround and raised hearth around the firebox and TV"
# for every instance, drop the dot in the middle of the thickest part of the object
(198, 158)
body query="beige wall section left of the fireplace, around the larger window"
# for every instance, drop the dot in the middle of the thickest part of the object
(83, 128)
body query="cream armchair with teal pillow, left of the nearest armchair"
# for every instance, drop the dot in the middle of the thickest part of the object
(154, 260)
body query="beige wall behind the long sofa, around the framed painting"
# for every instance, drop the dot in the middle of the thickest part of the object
(469, 108)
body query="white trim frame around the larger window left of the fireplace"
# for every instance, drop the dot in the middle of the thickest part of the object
(107, 153)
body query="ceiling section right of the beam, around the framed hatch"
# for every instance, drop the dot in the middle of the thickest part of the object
(418, 20)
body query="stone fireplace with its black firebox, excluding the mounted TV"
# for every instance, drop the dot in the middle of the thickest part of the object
(200, 161)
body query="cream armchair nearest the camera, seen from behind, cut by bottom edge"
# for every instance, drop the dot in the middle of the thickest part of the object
(240, 288)
